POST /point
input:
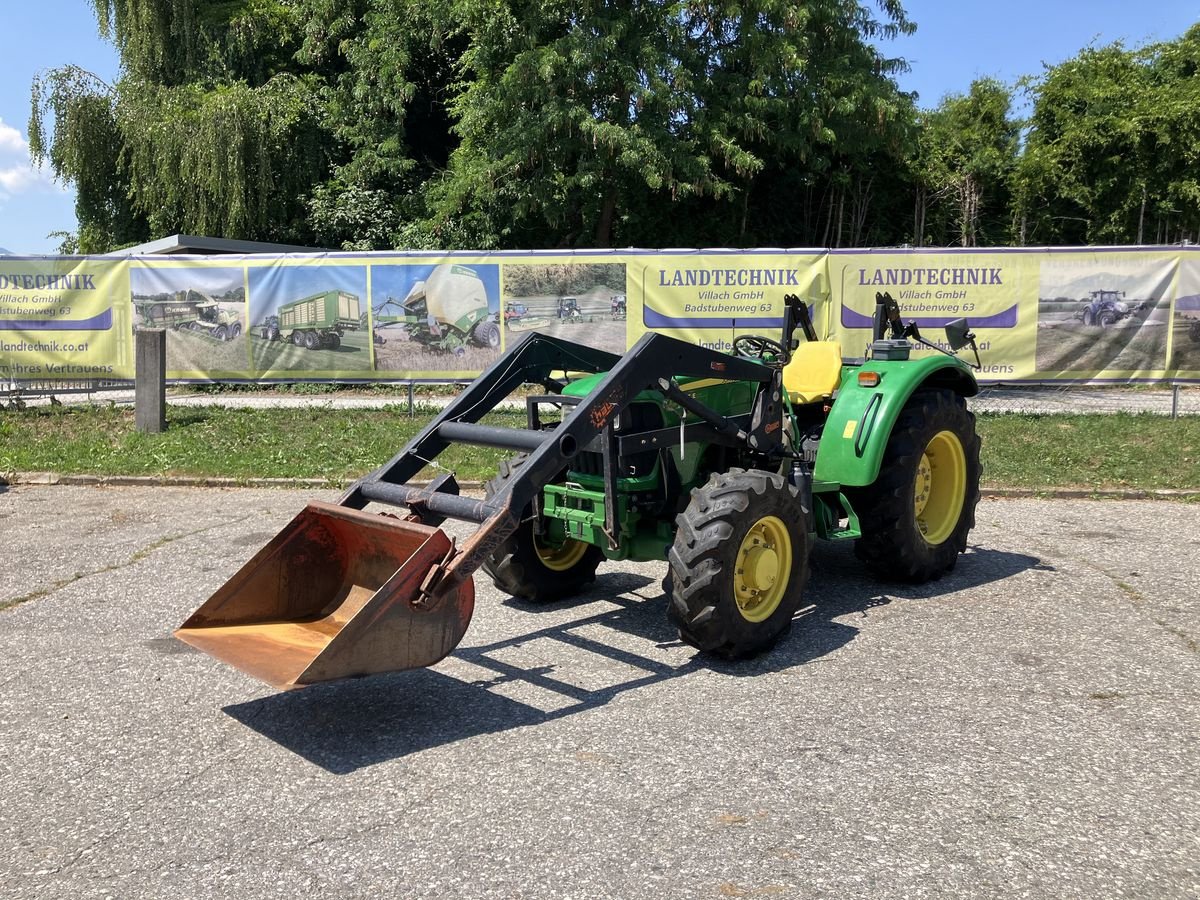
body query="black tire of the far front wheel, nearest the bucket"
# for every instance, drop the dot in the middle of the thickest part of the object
(518, 568)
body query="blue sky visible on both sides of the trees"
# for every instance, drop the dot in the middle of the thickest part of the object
(957, 41)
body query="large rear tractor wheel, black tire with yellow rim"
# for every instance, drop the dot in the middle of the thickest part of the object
(909, 500)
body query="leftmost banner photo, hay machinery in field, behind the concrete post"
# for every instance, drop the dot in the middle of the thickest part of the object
(203, 311)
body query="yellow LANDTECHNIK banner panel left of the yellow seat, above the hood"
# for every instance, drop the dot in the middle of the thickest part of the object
(711, 299)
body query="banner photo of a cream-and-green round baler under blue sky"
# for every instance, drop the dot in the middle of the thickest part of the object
(435, 319)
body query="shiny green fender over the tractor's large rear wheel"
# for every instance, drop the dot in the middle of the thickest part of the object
(861, 422)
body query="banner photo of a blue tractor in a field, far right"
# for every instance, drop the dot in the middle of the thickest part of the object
(1105, 316)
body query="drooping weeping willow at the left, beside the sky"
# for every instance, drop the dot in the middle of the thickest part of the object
(209, 130)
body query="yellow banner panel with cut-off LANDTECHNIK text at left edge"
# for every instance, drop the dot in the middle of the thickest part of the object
(65, 320)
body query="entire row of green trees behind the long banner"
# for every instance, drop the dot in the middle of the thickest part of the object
(448, 124)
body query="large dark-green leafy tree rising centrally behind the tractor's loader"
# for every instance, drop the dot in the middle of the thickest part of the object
(578, 119)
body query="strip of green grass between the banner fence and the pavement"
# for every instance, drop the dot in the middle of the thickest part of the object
(1034, 452)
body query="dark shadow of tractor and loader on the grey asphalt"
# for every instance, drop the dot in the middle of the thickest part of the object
(574, 665)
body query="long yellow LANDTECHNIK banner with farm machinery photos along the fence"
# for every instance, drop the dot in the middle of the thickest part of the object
(1046, 315)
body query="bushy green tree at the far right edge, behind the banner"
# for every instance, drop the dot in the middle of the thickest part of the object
(1113, 148)
